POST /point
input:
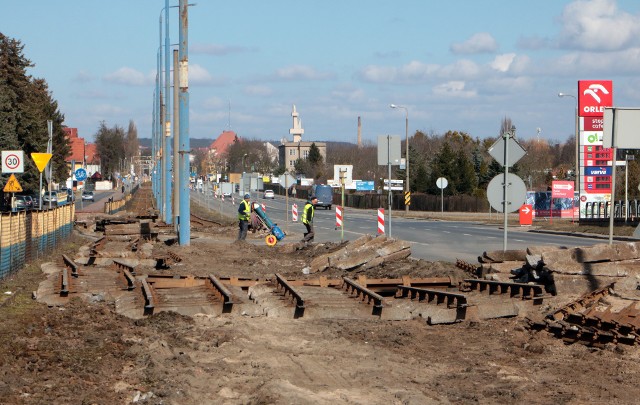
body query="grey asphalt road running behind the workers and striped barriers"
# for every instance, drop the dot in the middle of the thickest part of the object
(430, 240)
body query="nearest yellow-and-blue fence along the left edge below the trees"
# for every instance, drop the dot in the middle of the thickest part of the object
(28, 235)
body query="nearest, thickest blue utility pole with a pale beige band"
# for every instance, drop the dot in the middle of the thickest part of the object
(184, 233)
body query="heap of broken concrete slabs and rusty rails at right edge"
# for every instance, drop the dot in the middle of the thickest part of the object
(604, 278)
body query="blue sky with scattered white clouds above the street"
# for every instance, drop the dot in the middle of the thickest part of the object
(456, 65)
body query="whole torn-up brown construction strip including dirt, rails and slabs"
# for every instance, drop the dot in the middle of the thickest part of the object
(293, 331)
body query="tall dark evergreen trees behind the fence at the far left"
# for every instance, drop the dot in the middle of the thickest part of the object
(26, 104)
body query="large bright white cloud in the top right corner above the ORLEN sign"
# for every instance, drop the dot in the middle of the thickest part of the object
(598, 25)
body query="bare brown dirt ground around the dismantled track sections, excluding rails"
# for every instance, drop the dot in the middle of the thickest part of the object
(84, 352)
